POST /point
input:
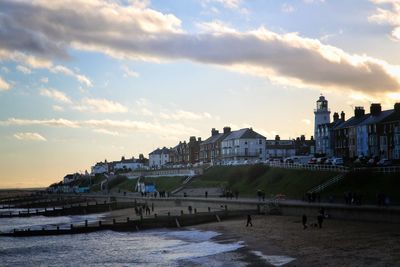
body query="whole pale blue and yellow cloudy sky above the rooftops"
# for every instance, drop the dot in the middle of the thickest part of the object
(82, 81)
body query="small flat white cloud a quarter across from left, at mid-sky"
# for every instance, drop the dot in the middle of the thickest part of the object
(100, 106)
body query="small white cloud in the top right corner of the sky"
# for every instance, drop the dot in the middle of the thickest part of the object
(388, 14)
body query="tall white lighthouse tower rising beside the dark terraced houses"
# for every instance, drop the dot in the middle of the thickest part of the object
(321, 116)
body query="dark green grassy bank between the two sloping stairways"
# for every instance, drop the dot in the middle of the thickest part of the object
(248, 179)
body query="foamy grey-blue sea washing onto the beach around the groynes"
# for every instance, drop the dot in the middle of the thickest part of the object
(162, 247)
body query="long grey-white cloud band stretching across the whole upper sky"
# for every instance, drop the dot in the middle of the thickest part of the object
(131, 32)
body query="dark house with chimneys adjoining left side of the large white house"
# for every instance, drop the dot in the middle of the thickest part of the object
(210, 149)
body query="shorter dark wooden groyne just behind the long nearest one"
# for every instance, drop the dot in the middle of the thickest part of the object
(74, 209)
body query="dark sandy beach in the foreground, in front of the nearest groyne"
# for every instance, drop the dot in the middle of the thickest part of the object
(338, 243)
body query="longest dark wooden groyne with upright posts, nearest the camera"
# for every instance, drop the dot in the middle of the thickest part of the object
(155, 222)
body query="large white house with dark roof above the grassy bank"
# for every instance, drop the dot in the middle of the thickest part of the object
(242, 145)
